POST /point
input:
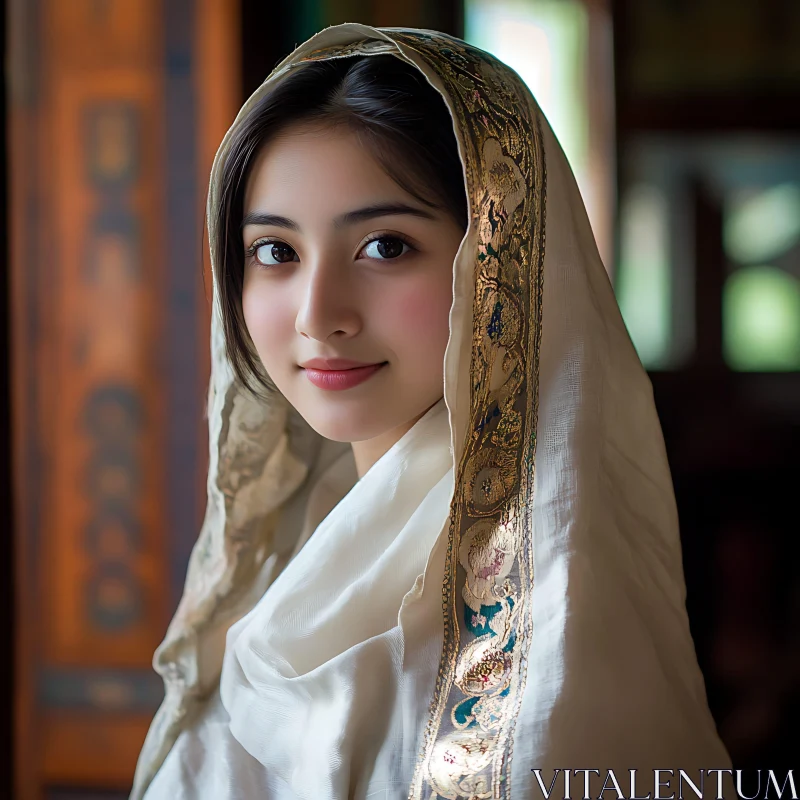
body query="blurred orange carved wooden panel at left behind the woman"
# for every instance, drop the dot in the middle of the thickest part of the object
(115, 109)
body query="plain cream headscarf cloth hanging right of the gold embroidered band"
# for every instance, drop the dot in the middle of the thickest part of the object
(613, 677)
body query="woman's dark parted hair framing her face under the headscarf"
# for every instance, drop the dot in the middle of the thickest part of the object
(400, 118)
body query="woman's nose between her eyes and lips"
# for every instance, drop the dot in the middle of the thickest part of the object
(328, 304)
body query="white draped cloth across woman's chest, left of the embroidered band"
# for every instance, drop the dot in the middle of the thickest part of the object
(324, 686)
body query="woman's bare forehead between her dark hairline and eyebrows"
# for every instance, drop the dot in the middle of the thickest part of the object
(308, 170)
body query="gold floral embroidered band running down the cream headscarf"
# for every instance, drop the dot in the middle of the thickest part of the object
(468, 744)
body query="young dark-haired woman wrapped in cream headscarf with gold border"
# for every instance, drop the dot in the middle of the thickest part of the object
(441, 549)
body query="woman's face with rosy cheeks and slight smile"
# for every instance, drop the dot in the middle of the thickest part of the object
(347, 285)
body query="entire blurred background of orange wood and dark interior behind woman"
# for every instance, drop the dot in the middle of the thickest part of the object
(681, 119)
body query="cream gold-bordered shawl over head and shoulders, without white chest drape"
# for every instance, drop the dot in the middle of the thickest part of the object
(565, 642)
